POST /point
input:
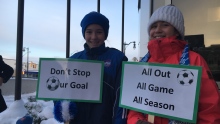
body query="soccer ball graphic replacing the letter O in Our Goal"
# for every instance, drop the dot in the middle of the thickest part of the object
(53, 83)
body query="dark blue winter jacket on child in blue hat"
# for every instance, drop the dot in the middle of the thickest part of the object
(108, 111)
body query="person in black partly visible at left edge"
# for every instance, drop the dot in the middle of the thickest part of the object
(6, 72)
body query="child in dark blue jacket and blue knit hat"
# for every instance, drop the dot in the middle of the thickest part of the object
(95, 27)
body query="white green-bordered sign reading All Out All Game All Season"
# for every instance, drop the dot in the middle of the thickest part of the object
(169, 91)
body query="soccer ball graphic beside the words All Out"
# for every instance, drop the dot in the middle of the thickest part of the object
(185, 77)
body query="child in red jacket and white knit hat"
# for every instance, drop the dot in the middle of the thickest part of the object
(166, 45)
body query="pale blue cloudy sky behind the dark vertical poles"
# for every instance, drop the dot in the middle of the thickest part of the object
(45, 27)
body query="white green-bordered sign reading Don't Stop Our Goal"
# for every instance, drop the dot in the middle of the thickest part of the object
(70, 79)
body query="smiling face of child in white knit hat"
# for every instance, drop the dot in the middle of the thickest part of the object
(162, 29)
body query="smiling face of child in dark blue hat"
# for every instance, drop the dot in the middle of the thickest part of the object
(94, 35)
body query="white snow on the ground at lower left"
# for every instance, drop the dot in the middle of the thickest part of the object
(17, 110)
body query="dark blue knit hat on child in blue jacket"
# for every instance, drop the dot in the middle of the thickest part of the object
(95, 18)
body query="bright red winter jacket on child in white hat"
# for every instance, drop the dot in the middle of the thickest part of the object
(169, 51)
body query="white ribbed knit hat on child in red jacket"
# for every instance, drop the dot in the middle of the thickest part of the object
(170, 14)
